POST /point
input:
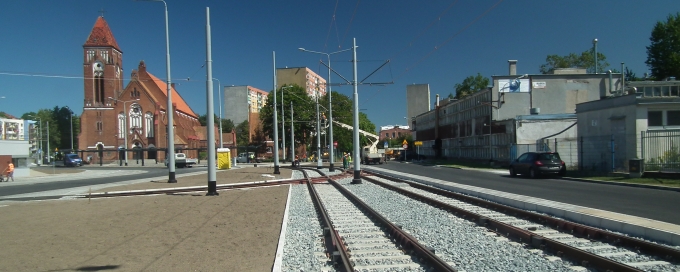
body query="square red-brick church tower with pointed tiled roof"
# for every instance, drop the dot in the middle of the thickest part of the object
(103, 84)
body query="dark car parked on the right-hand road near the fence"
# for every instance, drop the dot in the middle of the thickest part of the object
(536, 164)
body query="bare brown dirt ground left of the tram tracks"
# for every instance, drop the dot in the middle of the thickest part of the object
(235, 231)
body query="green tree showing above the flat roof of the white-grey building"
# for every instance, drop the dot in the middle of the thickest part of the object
(585, 60)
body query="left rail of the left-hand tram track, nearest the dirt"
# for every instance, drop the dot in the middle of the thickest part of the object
(336, 247)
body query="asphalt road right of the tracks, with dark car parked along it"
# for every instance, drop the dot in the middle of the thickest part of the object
(661, 205)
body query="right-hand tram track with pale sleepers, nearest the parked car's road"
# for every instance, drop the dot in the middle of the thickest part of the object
(583, 245)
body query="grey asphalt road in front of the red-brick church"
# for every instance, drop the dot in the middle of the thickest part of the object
(65, 183)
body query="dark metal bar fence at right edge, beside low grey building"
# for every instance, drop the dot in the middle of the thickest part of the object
(660, 150)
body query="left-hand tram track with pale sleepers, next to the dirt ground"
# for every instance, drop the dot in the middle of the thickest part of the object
(359, 239)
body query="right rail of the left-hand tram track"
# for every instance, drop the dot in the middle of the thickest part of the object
(405, 240)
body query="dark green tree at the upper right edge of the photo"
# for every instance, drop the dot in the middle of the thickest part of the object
(663, 54)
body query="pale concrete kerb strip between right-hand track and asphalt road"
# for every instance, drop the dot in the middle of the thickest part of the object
(632, 225)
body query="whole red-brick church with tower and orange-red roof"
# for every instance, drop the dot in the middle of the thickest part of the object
(138, 110)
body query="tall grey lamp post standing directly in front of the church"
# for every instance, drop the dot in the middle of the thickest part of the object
(170, 110)
